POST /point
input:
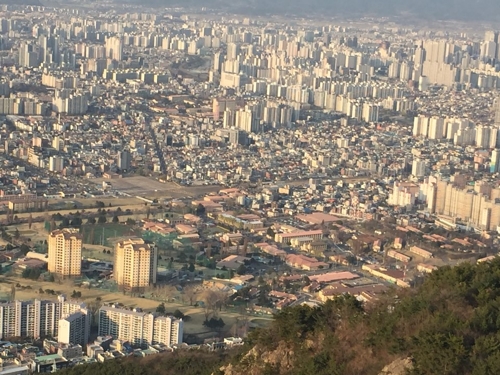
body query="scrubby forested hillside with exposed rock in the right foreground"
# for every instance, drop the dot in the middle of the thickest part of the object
(449, 325)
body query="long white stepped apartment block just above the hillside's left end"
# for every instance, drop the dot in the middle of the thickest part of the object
(139, 327)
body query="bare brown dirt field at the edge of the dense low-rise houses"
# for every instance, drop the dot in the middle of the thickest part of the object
(148, 187)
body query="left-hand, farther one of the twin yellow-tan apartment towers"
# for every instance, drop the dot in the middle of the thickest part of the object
(65, 252)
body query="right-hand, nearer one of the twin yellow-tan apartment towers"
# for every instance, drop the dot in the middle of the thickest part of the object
(135, 264)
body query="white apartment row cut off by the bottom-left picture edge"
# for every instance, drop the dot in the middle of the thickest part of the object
(43, 318)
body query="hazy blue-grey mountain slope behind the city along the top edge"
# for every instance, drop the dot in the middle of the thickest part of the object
(487, 10)
